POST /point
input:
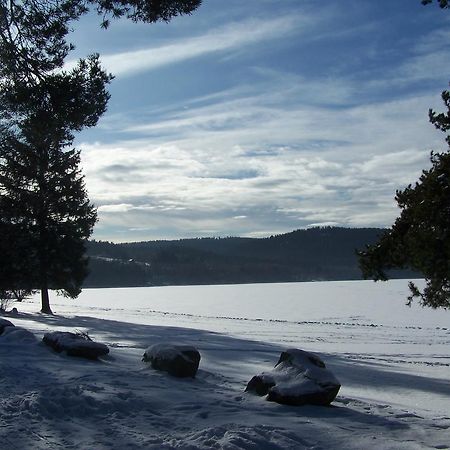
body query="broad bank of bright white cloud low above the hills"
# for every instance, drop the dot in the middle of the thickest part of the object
(322, 168)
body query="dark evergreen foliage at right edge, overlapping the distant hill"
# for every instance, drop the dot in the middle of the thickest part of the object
(420, 237)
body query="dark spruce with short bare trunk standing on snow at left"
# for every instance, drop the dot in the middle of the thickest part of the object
(45, 206)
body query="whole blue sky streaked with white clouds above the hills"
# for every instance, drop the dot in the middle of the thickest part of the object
(258, 117)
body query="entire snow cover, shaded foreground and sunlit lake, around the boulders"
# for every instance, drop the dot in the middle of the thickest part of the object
(393, 363)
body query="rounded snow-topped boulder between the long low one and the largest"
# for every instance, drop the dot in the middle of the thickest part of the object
(177, 360)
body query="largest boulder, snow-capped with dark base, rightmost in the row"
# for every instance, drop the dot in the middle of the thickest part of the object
(298, 378)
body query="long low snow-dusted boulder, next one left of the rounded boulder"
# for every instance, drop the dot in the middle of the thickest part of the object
(75, 344)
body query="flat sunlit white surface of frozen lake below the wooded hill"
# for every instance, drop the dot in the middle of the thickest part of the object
(364, 302)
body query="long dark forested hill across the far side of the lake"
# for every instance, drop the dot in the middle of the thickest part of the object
(302, 255)
